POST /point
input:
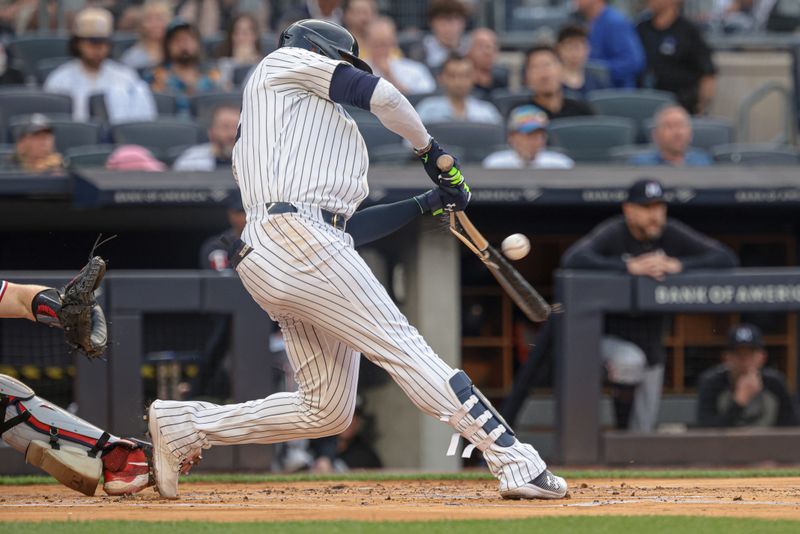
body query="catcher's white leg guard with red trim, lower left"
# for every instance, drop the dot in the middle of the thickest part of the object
(52, 439)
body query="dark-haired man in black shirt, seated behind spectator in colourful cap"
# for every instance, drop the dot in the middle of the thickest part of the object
(543, 76)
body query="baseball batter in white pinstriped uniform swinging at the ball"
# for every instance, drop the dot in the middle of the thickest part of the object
(301, 165)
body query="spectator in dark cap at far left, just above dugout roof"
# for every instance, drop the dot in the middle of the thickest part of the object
(35, 149)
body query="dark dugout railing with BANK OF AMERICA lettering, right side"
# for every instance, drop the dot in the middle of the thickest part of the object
(586, 297)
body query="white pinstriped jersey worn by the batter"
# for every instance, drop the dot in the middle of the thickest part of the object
(295, 144)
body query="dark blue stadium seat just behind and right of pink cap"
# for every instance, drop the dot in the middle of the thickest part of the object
(159, 136)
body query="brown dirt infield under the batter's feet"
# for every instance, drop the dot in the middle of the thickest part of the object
(767, 498)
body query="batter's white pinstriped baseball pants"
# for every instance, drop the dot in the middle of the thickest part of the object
(331, 308)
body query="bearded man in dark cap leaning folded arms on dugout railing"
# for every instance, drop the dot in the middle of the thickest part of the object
(642, 242)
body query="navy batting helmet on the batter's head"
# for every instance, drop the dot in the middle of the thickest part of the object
(326, 38)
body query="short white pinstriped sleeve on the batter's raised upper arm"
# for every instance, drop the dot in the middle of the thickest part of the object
(296, 69)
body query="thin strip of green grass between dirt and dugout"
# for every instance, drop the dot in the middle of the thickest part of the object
(377, 476)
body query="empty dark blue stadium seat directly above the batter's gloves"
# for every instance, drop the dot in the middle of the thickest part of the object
(476, 139)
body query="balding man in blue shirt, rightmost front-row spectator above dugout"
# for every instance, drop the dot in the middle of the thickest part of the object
(672, 135)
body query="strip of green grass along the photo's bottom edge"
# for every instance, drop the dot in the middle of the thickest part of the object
(560, 525)
